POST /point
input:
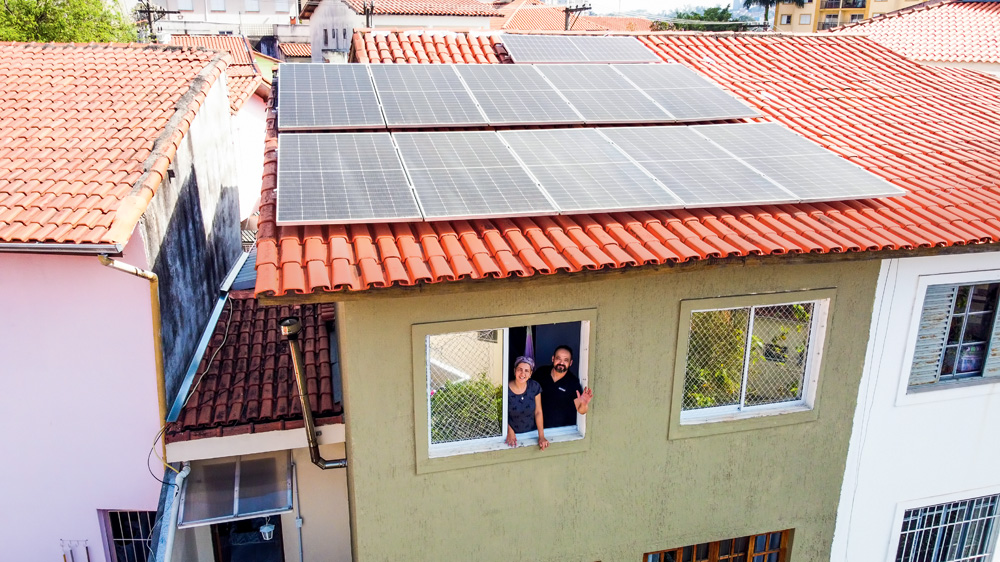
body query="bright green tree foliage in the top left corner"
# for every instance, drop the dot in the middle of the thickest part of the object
(64, 21)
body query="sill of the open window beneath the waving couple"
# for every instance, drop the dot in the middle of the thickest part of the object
(562, 440)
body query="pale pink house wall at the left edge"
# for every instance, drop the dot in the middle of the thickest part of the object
(78, 409)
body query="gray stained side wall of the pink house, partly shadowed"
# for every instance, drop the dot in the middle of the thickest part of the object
(191, 231)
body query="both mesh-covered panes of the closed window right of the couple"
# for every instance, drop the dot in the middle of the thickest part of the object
(745, 357)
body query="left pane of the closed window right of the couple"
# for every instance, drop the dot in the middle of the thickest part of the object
(715, 356)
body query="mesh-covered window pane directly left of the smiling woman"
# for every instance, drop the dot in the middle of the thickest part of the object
(465, 385)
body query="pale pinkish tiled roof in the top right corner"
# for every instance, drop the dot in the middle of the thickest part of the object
(950, 31)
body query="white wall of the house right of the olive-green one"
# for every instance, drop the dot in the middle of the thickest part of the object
(913, 450)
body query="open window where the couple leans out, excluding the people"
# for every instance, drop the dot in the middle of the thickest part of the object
(462, 370)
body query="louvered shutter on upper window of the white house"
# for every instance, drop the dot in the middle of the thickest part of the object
(933, 333)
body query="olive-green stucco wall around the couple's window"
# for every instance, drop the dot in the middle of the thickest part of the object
(631, 489)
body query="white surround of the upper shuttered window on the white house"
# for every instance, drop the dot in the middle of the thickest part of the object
(944, 390)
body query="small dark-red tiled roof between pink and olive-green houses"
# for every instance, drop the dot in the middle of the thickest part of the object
(249, 387)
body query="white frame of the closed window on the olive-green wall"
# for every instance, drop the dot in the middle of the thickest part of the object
(810, 378)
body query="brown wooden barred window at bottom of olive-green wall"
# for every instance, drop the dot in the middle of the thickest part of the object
(765, 547)
